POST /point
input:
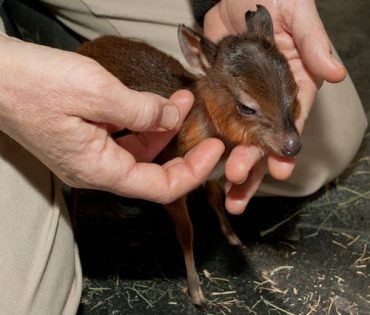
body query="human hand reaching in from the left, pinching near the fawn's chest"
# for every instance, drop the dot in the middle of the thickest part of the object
(61, 106)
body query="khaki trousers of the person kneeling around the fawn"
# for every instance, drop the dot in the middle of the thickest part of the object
(38, 257)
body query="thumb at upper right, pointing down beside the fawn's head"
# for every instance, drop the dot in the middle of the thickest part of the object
(314, 45)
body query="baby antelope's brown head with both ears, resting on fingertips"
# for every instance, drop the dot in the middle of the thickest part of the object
(246, 85)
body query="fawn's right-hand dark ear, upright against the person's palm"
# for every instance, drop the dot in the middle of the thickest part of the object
(259, 22)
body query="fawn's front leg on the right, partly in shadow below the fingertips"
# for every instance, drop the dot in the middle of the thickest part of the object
(215, 199)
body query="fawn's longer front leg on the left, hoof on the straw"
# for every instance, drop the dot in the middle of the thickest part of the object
(178, 212)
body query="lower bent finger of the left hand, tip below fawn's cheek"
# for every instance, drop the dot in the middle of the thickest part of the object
(165, 183)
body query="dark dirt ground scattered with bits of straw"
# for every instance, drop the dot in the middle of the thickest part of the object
(303, 255)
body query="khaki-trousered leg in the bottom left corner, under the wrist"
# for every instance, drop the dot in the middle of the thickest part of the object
(40, 271)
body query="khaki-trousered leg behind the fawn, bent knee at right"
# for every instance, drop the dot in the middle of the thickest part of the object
(334, 129)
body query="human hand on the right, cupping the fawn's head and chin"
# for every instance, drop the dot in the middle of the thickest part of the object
(297, 26)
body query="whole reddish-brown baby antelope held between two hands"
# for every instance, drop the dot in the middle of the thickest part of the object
(247, 64)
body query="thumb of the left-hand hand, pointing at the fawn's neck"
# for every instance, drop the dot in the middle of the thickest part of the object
(138, 111)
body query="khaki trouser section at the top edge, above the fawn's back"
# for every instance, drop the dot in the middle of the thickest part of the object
(154, 22)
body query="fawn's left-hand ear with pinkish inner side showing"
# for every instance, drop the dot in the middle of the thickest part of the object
(199, 52)
